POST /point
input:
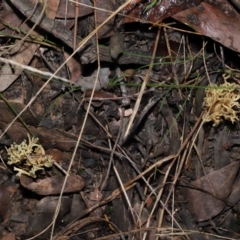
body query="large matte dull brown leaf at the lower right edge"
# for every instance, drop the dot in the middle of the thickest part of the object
(216, 187)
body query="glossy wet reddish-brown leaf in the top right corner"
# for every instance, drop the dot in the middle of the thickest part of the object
(219, 22)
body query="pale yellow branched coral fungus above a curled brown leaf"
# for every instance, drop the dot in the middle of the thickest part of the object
(28, 158)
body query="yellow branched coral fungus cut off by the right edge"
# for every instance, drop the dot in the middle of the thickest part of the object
(221, 102)
